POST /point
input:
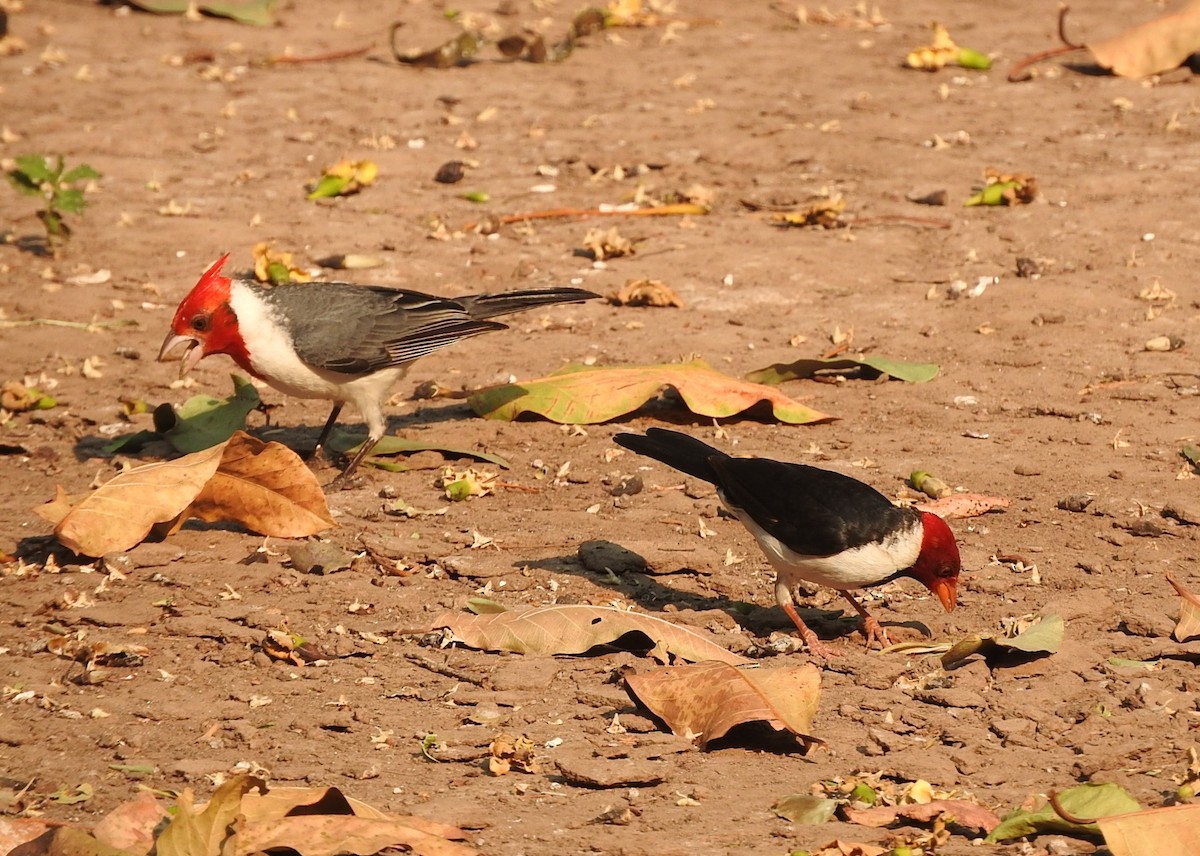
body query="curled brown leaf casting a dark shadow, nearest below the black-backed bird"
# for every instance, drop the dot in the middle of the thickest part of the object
(704, 702)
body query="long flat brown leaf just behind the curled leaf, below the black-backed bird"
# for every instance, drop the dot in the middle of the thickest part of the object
(573, 630)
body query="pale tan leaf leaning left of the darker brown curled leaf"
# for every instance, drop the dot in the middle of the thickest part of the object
(121, 514)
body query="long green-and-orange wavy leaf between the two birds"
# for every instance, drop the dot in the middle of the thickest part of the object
(586, 396)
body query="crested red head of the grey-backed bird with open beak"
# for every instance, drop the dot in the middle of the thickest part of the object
(206, 324)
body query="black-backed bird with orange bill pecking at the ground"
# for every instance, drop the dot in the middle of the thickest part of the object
(818, 526)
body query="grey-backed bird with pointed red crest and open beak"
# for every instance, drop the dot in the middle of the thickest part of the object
(335, 340)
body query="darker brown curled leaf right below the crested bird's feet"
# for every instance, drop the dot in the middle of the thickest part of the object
(266, 488)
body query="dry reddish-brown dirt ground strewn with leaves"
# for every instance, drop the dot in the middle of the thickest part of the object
(1046, 392)
